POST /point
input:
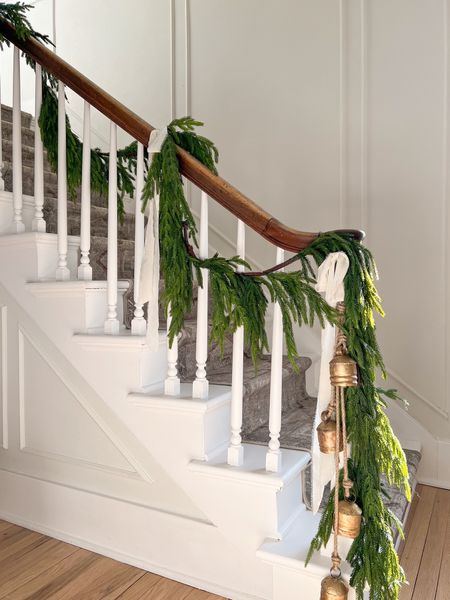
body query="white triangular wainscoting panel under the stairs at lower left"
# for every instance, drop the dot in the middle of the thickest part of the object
(46, 432)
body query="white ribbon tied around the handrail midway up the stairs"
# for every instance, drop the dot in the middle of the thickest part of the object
(149, 279)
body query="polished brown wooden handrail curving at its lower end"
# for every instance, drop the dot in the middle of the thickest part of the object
(217, 188)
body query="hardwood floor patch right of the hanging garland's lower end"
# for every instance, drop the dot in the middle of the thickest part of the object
(425, 555)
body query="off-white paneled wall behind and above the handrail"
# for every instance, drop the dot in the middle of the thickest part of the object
(328, 114)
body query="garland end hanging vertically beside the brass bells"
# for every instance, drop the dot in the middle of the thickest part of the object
(375, 449)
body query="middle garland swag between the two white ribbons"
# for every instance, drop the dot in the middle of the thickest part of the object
(237, 299)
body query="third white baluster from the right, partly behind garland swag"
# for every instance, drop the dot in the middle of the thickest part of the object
(200, 387)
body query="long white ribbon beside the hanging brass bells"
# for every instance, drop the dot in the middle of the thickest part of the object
(330, 282)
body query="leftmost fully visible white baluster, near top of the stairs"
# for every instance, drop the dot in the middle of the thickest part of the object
(17, 225)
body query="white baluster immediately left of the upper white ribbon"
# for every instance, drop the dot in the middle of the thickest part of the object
(138, 324)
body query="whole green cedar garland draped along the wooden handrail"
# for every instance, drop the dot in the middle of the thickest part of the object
(242, 300)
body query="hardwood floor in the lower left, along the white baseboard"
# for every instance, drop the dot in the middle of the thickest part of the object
(36, 567)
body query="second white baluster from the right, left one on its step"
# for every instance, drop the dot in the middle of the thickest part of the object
(236, 449)
